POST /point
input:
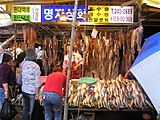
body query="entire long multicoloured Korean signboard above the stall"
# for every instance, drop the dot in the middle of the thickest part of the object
(52, 13)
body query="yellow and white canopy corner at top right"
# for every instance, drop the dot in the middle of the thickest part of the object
(153, 3)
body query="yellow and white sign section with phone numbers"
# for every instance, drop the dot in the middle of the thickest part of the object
(110, 14)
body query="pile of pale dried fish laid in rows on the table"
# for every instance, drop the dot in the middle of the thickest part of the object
(116, 93)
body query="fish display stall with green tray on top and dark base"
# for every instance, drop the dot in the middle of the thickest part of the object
(119, 97)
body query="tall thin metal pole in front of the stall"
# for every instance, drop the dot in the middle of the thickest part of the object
(65, 116)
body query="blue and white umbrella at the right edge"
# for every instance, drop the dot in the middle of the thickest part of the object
(146, 69)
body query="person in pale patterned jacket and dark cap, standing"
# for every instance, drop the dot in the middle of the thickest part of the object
(30, 76)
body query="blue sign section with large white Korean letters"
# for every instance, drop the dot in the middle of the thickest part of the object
(52, 13)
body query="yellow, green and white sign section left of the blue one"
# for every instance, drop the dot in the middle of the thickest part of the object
(25, 13)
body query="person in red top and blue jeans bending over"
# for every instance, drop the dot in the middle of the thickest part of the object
(53, 93)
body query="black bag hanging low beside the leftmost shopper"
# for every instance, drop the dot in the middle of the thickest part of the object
(7, 110)
